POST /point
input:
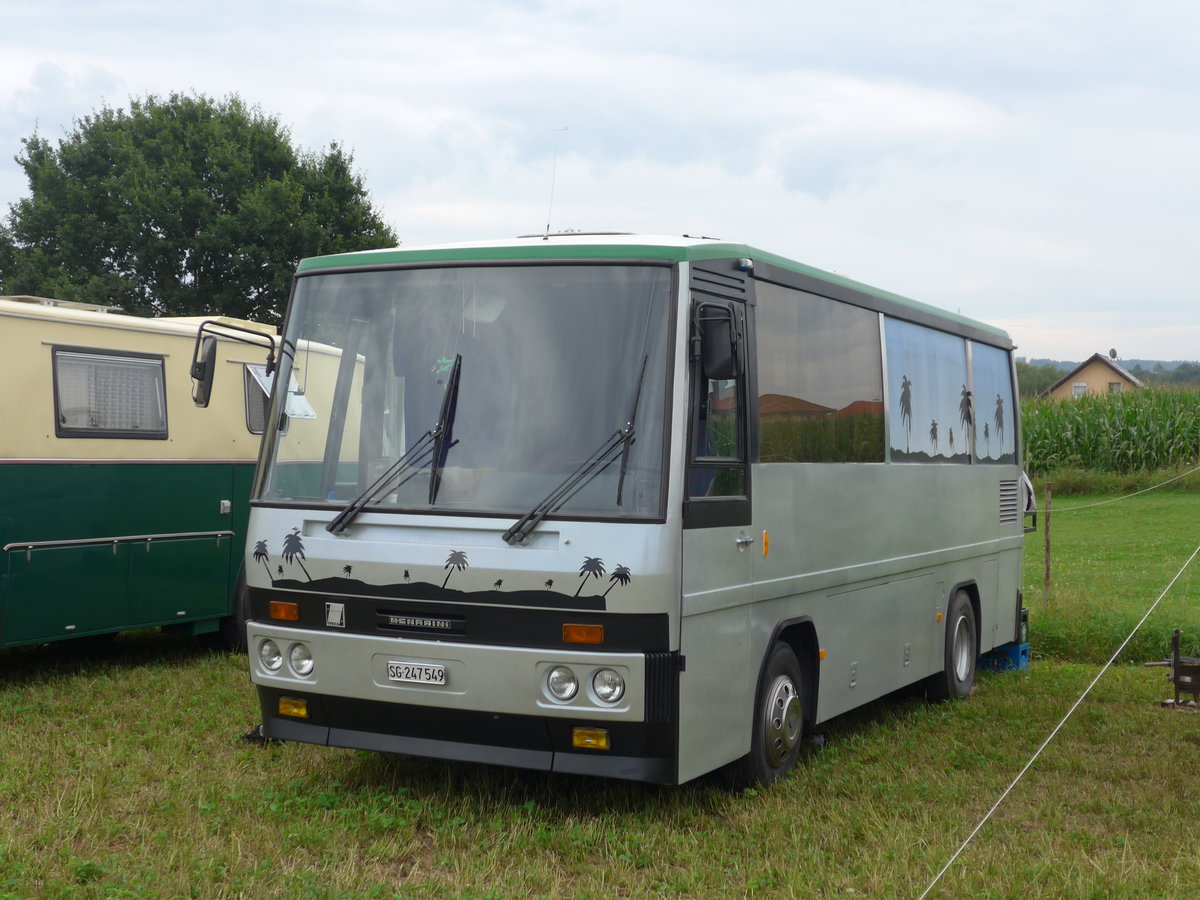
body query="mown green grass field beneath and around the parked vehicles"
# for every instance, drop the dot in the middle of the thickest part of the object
(125, 776)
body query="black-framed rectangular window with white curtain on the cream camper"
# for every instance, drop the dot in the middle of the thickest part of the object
(100, 394)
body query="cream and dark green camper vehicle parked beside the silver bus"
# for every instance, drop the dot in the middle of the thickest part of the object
(124, 507)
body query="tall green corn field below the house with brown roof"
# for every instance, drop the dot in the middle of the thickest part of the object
(1121, 434)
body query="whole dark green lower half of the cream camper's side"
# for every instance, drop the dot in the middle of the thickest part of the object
(49, 589)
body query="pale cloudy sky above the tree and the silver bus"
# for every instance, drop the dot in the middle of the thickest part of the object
(1030, 164)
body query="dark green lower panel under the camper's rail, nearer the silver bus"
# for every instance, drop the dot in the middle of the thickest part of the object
(170, 578)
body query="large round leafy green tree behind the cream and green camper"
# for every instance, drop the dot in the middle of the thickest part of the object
(184, 207)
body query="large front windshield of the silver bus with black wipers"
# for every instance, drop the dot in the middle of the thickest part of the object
(484, 389)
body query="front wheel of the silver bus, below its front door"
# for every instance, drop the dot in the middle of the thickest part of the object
(778, 723)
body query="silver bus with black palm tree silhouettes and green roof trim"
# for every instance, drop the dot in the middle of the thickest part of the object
(632, 507)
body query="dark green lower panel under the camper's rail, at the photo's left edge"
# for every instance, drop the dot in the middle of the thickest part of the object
(64, 592)
